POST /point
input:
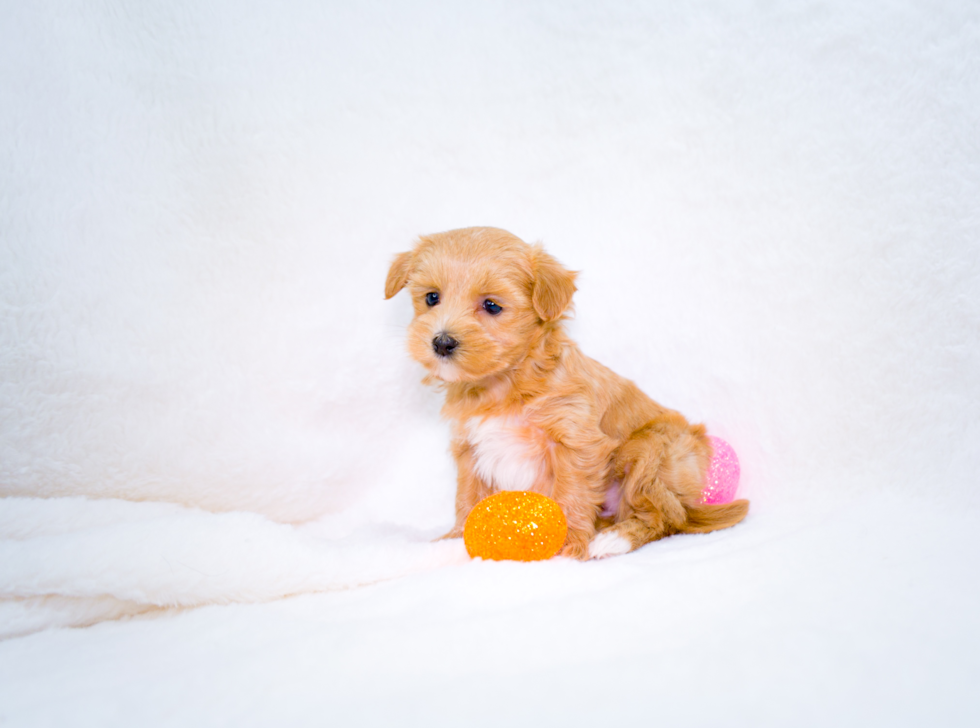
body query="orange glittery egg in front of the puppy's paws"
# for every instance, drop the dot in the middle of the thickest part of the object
(516, 526)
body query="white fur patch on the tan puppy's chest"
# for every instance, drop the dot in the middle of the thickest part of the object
(509, 453)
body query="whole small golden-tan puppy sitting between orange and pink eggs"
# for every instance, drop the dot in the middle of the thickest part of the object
(529, 411)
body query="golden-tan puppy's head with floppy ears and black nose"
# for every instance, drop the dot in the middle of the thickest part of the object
(482, 297)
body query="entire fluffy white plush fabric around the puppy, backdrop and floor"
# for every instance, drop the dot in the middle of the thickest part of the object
(205, 400)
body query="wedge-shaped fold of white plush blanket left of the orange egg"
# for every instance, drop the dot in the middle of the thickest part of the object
(75, 562)
